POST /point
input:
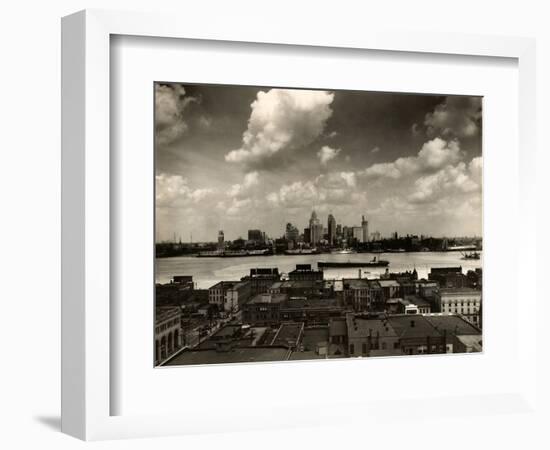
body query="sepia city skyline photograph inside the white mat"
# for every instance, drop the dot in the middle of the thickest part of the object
(314, 224)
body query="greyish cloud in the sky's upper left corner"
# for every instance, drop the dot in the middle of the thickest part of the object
(170, 102)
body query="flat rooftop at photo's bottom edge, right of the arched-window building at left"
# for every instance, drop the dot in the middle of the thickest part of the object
(235, 355)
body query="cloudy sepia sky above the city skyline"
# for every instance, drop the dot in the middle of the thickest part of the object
(235, 158)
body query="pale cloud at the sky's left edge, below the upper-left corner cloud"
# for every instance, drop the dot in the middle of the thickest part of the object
(174, 191)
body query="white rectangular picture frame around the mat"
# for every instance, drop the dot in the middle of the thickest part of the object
(86, 215)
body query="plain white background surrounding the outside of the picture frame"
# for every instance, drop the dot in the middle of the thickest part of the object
(30, 190)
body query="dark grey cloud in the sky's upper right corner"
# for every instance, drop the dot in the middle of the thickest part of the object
(458, 116)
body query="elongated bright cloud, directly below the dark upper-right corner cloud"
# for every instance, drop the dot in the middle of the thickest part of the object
(433, 155)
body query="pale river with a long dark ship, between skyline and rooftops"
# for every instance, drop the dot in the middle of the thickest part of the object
(208, 271)
